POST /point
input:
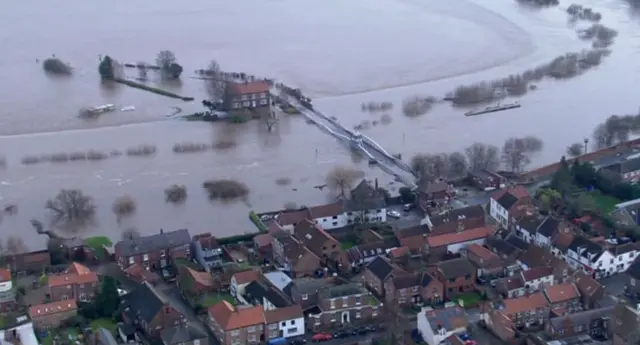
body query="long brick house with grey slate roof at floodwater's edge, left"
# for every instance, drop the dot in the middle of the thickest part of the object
(154, 251)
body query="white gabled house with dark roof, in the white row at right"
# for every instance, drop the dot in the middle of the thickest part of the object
(590, 257)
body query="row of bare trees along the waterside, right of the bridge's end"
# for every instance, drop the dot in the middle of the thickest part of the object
(515, 155)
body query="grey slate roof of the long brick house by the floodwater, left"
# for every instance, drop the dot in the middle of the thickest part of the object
(146, 244)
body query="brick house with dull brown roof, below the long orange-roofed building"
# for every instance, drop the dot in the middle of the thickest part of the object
(458, 276)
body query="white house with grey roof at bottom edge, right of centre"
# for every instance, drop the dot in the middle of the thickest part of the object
(436, 325)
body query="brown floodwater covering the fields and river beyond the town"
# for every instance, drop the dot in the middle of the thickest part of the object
(341, 54)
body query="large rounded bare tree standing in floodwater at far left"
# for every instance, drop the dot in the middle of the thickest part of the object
(71, 204)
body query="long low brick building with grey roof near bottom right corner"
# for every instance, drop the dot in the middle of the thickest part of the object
(591, 322)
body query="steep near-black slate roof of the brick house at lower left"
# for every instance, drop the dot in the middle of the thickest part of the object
(145, 302)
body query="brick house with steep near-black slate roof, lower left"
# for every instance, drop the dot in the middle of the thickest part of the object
(149, 310)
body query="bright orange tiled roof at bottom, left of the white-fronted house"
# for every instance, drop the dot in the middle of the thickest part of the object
(230, 317)
